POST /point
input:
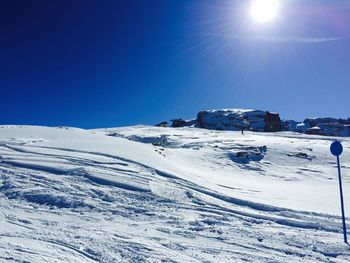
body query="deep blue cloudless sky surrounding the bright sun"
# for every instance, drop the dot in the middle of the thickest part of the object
(114, 63)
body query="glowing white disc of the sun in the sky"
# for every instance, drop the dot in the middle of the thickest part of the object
(264, 11)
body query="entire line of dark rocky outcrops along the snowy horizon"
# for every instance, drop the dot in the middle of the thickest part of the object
(262, 121)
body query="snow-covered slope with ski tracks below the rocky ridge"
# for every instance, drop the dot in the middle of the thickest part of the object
(147, 194)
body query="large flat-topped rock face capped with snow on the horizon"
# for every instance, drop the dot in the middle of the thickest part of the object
(234, 119)
